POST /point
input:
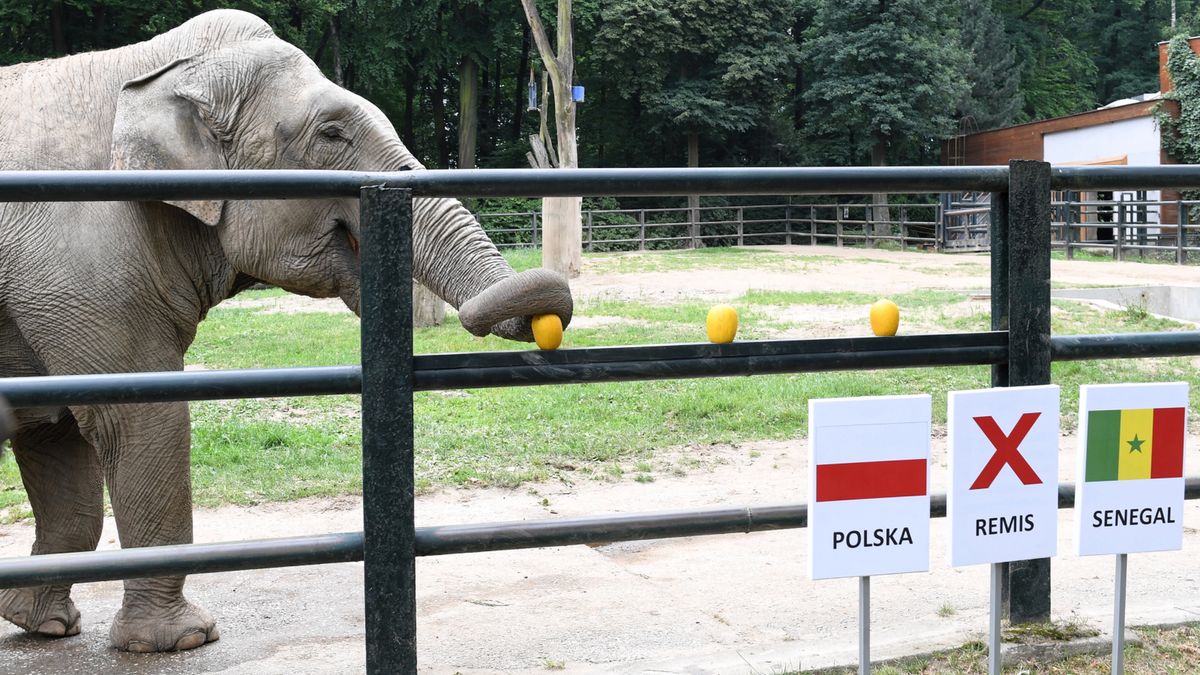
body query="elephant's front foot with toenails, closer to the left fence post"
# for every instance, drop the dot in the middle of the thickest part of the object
(177, 628)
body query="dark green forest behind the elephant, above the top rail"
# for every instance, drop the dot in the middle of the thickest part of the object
(751, 82)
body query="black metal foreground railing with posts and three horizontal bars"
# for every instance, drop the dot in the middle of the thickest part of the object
(1019, 349)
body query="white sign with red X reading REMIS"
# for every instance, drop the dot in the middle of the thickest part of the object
(1004, 497)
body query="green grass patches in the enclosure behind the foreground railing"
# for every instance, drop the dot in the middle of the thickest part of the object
(272, 450)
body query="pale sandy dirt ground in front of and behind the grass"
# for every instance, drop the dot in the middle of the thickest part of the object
(739, 604)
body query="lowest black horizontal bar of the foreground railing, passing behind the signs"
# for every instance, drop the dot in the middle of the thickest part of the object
(347, 547)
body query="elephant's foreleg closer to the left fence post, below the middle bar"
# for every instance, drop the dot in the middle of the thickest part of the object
(146, 452)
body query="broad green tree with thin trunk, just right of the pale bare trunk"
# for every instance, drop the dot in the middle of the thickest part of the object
(699, 69)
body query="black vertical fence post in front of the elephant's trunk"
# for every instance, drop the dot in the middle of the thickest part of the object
(387, 308)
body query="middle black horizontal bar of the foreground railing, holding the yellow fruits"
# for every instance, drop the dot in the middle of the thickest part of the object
(591, 365)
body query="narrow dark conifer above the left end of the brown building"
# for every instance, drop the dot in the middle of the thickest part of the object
(995, 97)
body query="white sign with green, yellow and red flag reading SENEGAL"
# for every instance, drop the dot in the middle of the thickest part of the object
(1130, 477)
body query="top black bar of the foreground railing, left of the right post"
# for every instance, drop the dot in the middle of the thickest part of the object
(146, 186)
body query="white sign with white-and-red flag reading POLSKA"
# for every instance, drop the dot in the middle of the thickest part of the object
(869, 486)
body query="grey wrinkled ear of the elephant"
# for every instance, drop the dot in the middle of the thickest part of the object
(166, 120)
